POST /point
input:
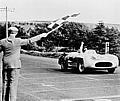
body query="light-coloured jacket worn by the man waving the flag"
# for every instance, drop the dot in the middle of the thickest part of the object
(11, 51)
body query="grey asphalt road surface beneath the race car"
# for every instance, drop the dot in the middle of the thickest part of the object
(42, 80)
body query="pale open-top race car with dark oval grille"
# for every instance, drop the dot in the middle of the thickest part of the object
(88, 60)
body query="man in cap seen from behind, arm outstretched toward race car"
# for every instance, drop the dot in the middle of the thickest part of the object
(11, 62)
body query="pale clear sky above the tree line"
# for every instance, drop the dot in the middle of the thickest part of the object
(91, 11)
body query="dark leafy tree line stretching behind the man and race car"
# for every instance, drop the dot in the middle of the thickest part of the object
(71, 35)
